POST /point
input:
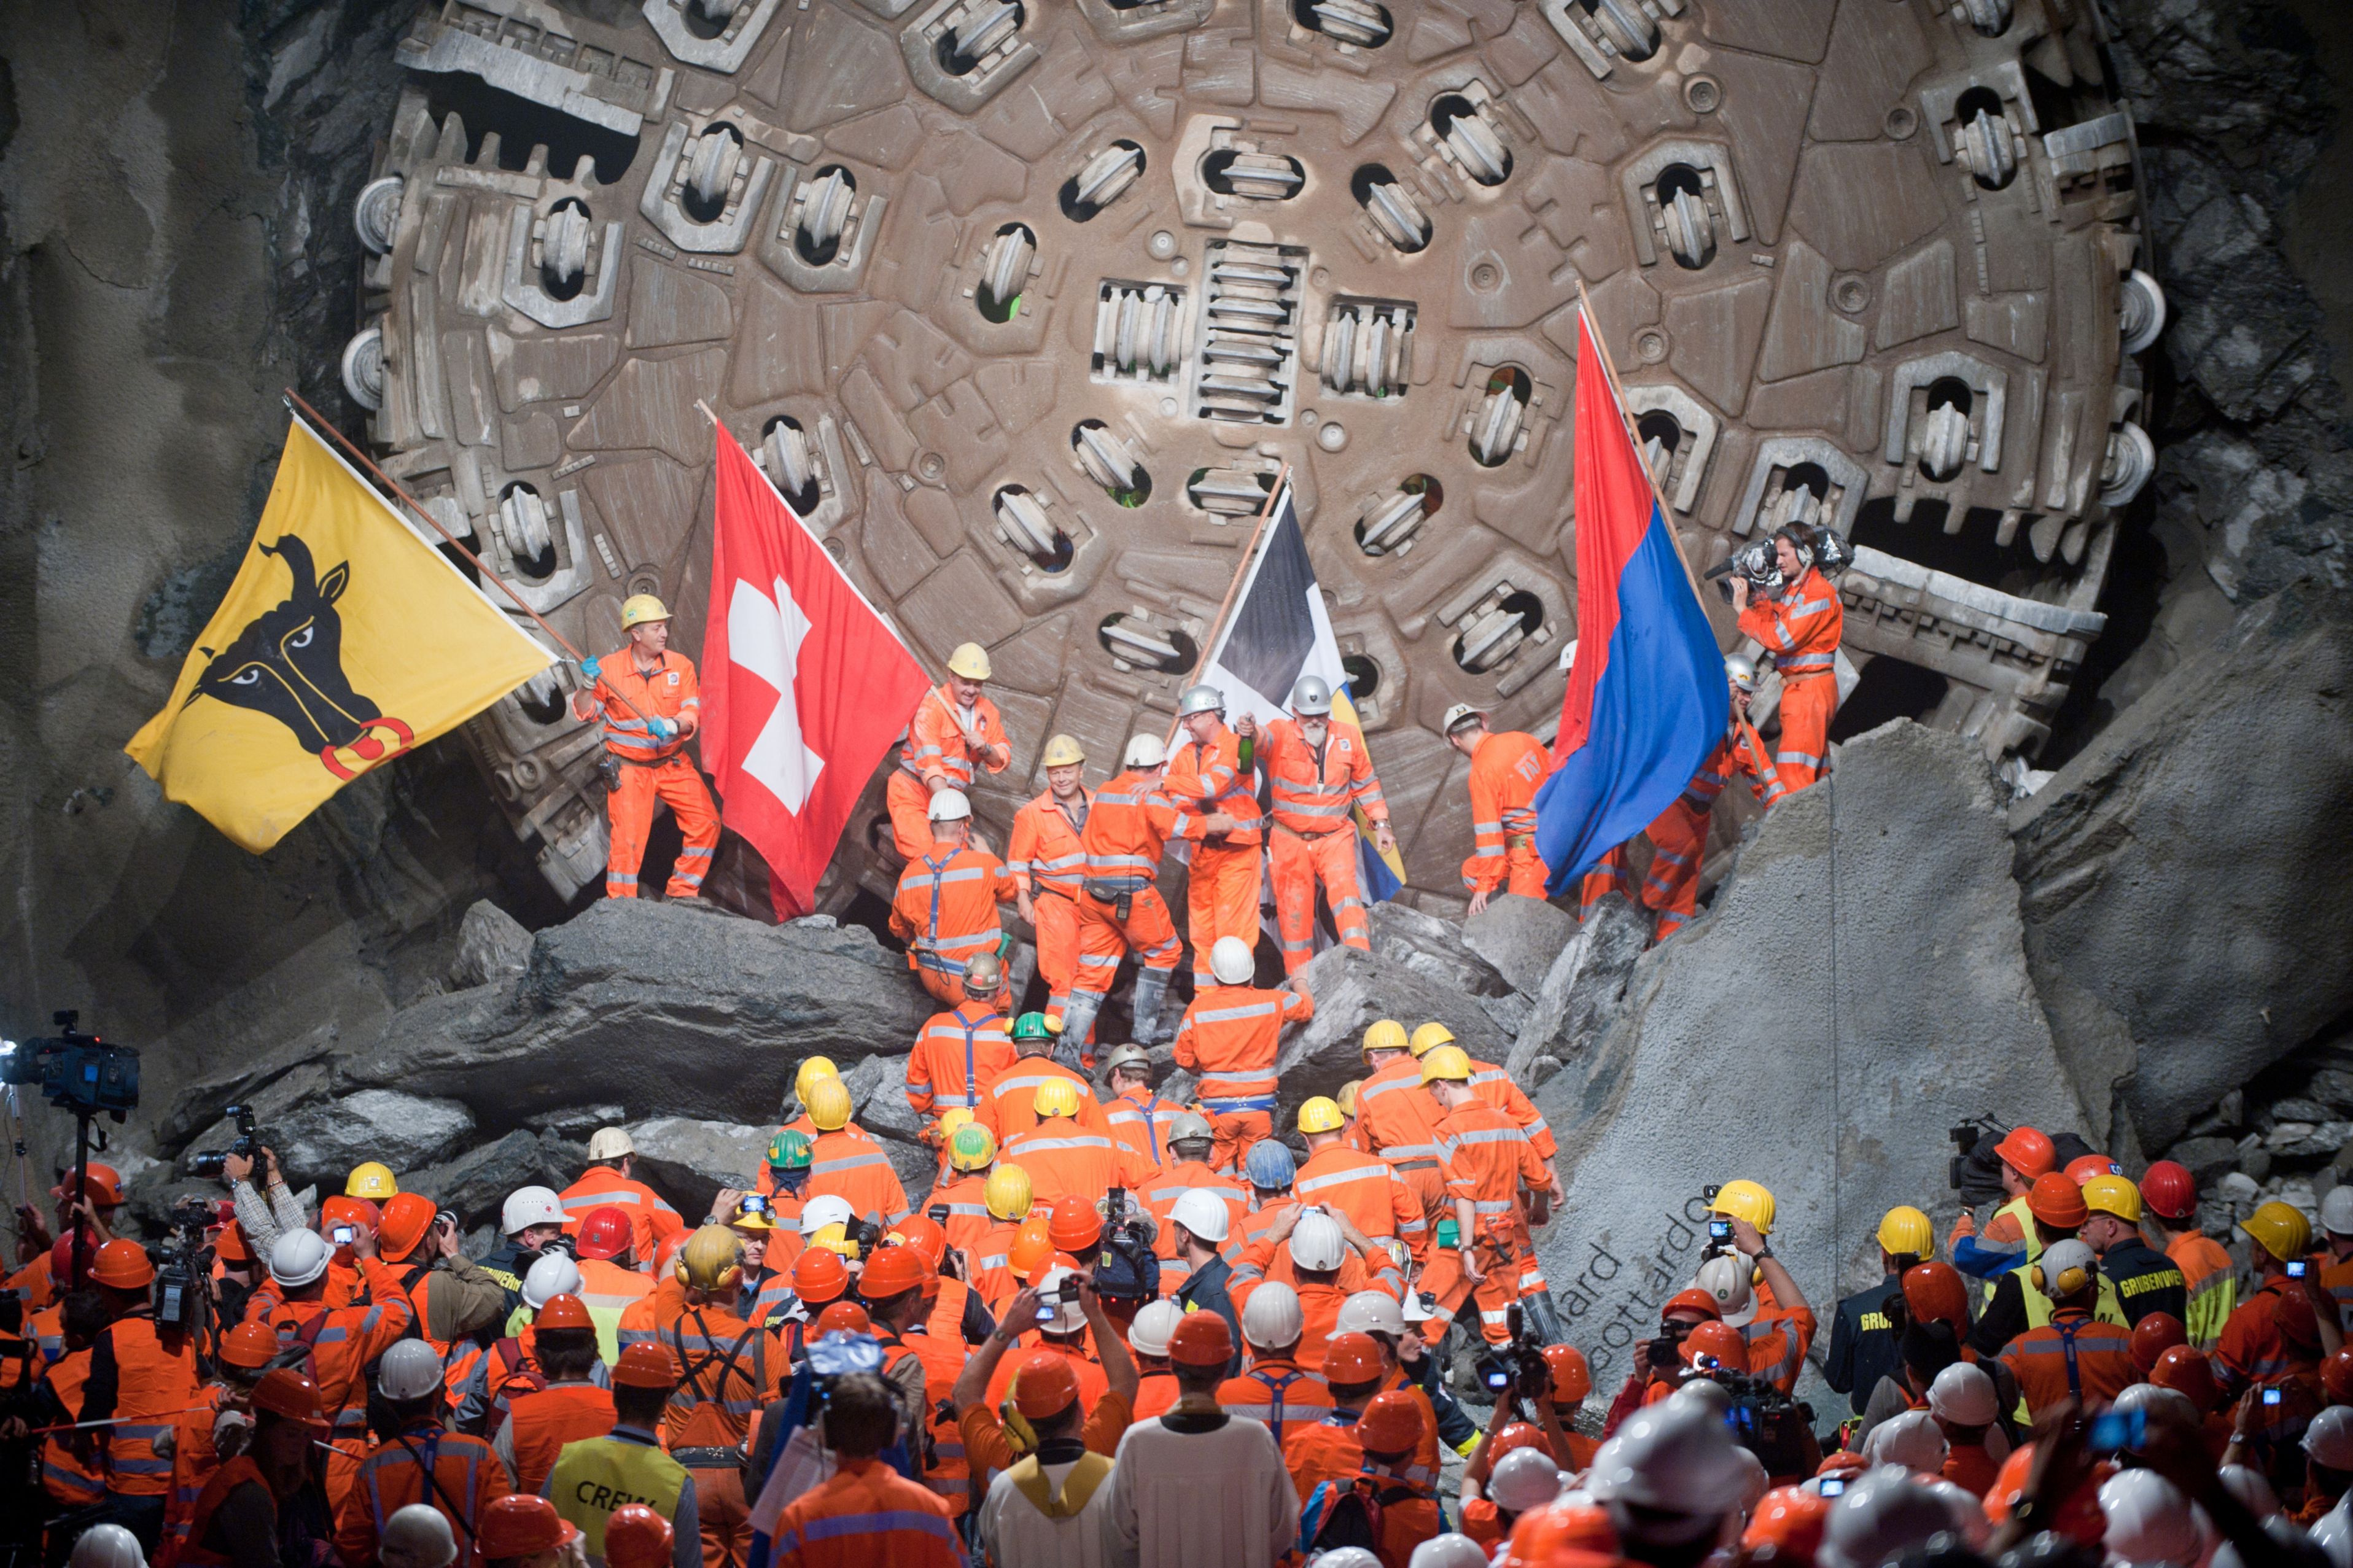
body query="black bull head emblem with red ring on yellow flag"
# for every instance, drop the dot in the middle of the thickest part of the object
(288, 663)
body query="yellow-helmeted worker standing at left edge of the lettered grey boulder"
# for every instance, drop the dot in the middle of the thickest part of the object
(1488, 1162)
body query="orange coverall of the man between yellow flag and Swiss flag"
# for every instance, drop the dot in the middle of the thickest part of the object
(653, 771)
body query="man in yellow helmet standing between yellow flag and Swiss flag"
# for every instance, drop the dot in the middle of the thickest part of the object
(651, 705)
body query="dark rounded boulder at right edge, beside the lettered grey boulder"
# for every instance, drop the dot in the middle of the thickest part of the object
(2189, 917)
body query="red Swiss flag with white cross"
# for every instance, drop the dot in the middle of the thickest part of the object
(806, 689)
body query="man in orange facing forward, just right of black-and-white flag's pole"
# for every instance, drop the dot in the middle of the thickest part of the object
(1319, 771)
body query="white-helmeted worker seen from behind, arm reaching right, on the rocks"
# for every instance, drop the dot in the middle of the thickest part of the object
(1119, 910)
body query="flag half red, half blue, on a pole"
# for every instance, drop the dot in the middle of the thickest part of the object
(1648, 696)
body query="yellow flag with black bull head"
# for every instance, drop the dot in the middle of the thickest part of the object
(342, 644)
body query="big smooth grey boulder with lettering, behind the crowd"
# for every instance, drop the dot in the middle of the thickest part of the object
(1858, 988)
